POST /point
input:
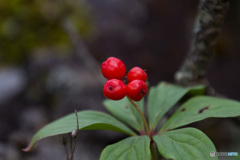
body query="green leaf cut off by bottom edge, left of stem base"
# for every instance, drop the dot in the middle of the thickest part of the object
(133, 148)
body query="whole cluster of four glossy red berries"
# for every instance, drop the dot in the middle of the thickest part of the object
(115, 70)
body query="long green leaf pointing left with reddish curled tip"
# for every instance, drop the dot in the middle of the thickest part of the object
(88, 120)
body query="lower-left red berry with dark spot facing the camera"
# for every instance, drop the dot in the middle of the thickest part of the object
(114, 89)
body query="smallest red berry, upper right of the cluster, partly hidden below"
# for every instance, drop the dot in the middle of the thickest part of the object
(137, 73)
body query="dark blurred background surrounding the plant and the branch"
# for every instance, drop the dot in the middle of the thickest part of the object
(50, 56)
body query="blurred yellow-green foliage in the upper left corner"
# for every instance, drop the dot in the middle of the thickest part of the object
(26, 25)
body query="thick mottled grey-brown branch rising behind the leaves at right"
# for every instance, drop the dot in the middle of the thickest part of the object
(207, 28)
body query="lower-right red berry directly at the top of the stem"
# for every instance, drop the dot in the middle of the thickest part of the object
(137, 89)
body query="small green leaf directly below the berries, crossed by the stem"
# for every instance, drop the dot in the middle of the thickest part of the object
(124, 111)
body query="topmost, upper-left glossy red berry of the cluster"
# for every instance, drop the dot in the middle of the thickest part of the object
(113, 68)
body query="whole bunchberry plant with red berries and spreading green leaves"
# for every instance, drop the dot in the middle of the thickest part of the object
(148, 138)
